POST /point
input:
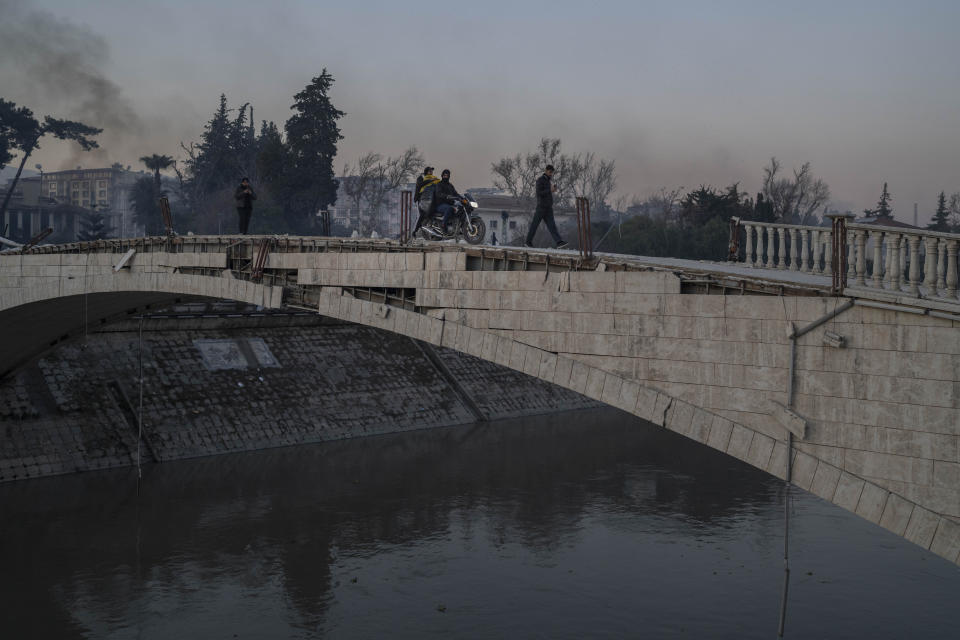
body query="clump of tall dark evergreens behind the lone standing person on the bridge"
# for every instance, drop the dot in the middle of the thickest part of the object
(292, 167)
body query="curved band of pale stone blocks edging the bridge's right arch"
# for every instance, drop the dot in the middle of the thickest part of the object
(857, 495)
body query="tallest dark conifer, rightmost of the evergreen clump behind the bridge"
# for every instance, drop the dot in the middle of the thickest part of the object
(312, 137)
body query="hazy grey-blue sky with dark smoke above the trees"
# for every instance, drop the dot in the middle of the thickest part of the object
(678, 93)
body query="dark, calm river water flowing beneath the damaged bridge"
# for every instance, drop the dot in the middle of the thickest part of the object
(584, 524)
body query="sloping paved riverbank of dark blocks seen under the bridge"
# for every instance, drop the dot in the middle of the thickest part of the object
(226, 382)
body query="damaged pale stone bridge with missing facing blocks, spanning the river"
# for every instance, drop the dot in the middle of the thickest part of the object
(861, 394)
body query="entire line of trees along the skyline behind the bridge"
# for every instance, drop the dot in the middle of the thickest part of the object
(292, 167)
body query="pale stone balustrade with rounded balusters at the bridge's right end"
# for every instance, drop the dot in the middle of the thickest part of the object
(896, 260)
